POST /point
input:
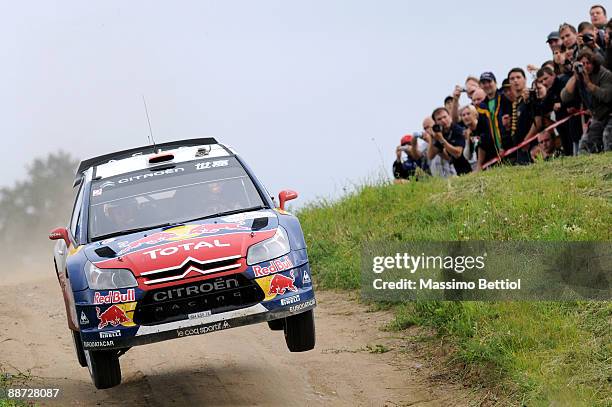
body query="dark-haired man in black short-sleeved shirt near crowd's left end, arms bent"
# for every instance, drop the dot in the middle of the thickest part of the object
(448, 141)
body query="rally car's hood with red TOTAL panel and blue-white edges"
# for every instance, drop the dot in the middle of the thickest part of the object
(208, 241)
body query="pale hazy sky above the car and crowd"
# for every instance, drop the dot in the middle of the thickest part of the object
(314, 95)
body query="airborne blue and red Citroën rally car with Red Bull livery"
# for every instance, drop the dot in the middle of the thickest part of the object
(174, 240)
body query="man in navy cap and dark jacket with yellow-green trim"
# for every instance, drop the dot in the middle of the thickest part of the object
(496, 109)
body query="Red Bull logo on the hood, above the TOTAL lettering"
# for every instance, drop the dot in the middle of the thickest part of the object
(181, 233)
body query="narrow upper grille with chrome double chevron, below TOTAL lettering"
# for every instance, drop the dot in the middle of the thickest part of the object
(192, 266)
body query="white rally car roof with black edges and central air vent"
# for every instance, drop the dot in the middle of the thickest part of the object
(135, 159)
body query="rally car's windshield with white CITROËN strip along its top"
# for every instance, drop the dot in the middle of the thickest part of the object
(168, 195)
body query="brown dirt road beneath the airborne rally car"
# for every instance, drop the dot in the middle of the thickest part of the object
(239, 367)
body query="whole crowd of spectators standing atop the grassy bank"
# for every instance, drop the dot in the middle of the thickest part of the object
(515, 123)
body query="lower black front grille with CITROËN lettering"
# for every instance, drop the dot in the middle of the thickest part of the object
(217, 295)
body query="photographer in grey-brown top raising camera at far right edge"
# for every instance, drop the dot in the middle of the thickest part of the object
(592, 83)
